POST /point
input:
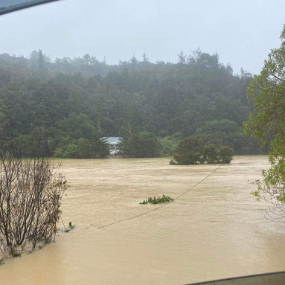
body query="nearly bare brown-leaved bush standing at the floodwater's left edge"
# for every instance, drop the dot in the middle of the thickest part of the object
(31, 191)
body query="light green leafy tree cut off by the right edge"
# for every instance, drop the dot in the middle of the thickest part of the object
(267, 121)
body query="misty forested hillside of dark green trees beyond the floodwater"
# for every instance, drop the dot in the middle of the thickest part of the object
(64, 107)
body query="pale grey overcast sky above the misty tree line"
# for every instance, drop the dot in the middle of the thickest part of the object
(242, 32)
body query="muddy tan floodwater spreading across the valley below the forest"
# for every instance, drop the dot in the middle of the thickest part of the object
(216, 230)
